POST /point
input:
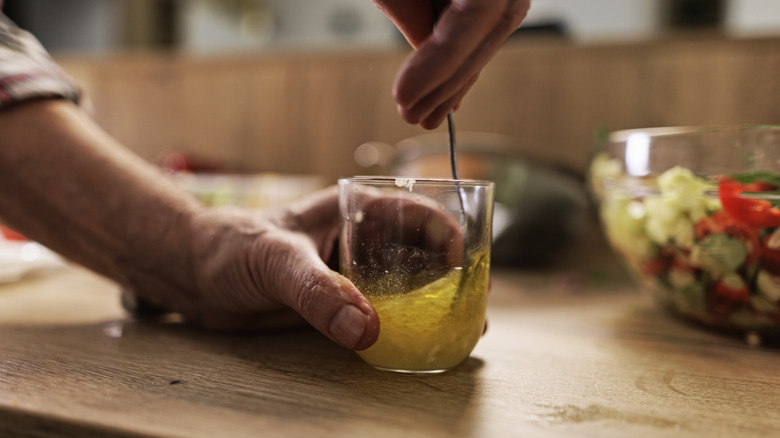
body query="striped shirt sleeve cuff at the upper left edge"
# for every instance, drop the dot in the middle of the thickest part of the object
(27, 71)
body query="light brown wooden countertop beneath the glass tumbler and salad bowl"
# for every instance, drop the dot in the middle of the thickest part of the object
(568, 353)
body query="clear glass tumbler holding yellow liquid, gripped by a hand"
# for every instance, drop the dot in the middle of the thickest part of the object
(419, 250)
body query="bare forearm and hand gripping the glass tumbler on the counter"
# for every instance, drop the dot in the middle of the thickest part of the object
(68, 185)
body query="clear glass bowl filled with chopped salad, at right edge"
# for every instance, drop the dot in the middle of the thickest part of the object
(694, 214)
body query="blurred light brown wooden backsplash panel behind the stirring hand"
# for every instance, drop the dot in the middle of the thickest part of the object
(306, 113)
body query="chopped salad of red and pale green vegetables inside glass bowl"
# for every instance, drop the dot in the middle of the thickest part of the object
(706, 247)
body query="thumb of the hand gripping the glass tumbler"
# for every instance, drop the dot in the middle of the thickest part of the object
(326, 299)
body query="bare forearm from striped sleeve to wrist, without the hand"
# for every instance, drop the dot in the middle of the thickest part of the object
(67, 184)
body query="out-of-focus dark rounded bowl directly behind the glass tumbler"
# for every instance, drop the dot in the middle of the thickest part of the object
(541, 207)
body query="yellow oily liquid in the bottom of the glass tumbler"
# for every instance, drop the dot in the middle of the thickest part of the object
(432, 328)
